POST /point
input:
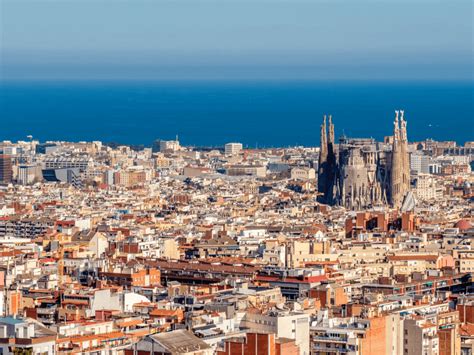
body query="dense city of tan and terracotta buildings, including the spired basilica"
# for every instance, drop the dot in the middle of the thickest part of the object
(354, 247)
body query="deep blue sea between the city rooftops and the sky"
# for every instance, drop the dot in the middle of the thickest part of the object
(259, 114)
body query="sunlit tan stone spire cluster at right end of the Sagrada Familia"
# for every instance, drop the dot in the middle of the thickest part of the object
(400, 169)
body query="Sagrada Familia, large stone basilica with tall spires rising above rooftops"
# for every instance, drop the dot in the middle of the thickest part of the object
(360, 172)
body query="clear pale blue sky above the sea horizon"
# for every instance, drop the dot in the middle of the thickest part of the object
(137, 39)
